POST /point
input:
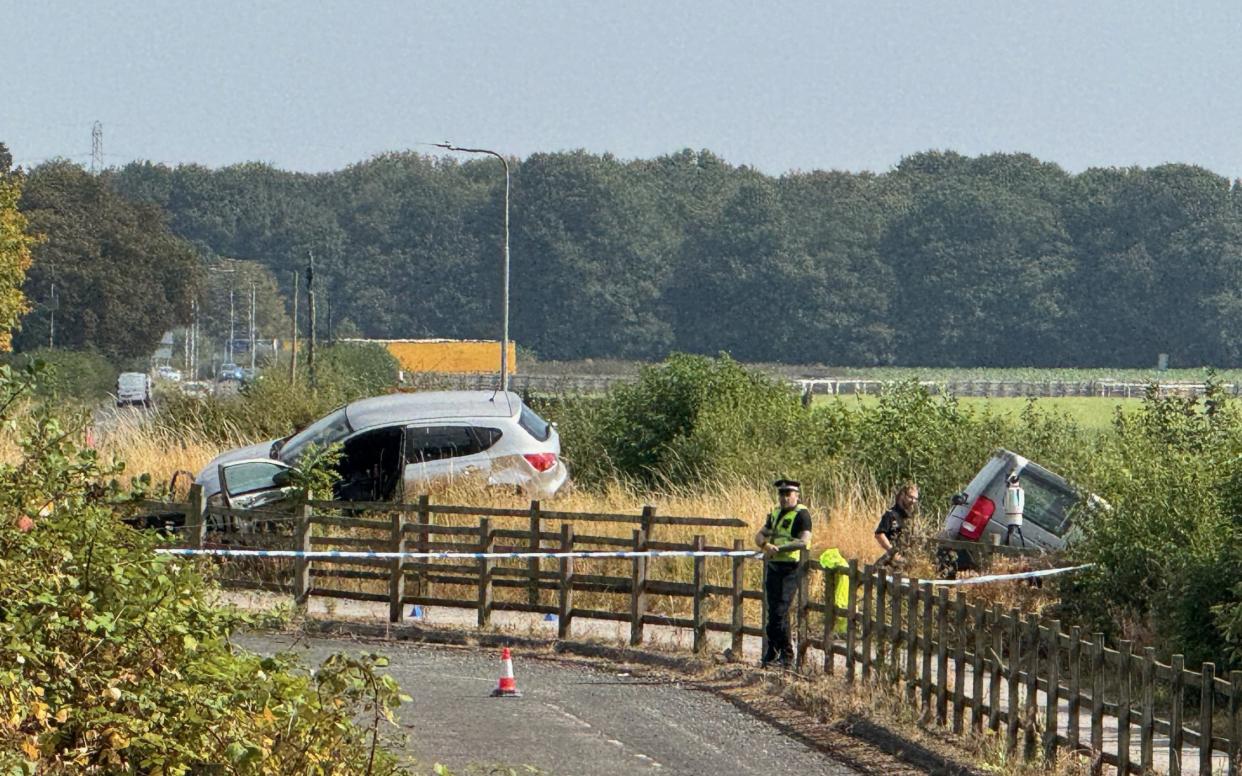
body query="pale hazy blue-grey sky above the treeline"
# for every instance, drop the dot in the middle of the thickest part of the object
(781, 86)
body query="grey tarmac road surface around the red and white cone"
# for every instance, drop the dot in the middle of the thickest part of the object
(572, 720)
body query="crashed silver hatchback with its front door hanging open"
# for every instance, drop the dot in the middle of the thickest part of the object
(398, 444)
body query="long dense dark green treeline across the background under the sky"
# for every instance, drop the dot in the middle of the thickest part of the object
(947, 260)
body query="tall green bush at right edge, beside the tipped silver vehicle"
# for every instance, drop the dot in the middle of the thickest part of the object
(1164, 552)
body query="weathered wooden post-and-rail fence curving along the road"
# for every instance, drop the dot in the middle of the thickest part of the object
(963, 664)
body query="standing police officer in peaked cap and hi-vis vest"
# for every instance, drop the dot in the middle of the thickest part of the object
(787, 532)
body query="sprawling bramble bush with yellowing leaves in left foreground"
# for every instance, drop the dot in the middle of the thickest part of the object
(115, 660)
